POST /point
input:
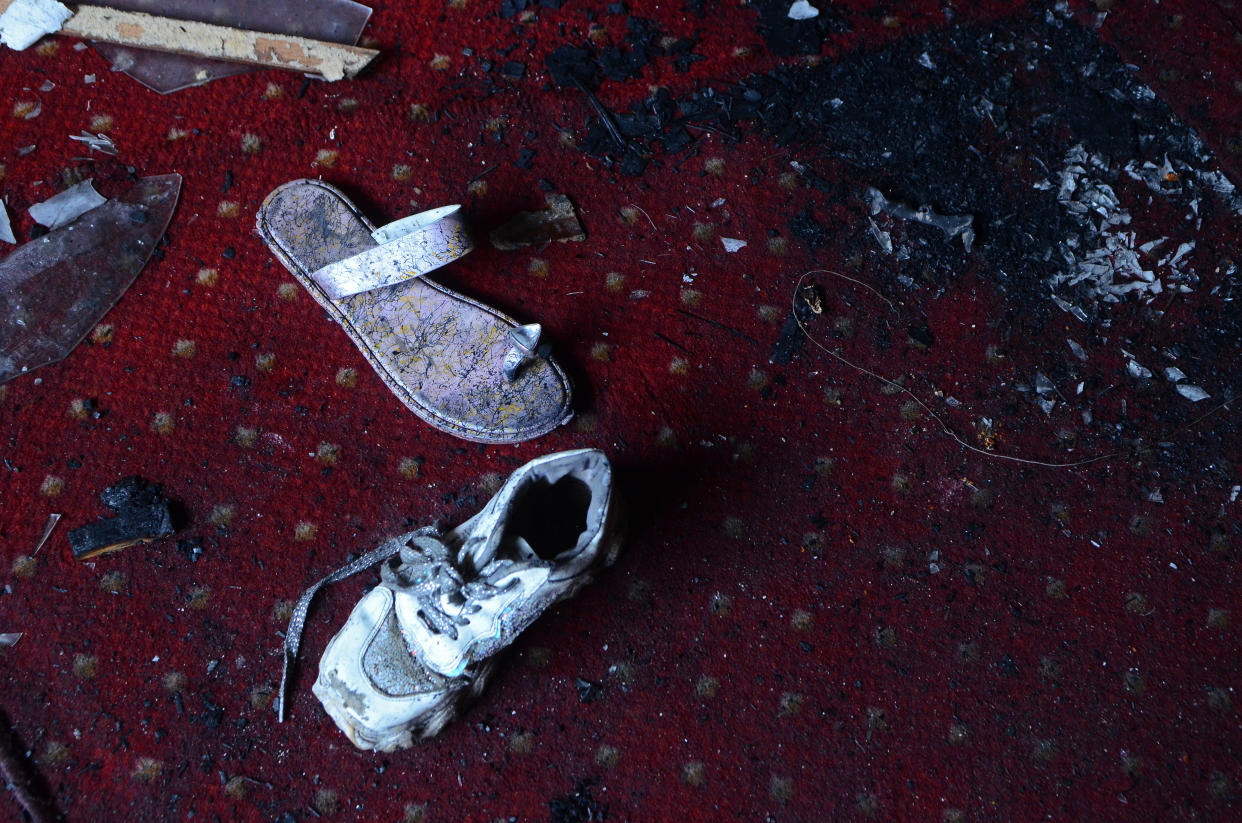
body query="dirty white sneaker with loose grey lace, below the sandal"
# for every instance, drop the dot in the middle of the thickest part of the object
(423, 644)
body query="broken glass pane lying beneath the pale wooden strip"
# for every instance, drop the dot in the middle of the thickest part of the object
(338, 22)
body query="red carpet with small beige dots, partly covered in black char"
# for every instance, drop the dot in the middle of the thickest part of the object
(829, 606)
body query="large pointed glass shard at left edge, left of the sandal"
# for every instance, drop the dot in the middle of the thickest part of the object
(54, 290)
